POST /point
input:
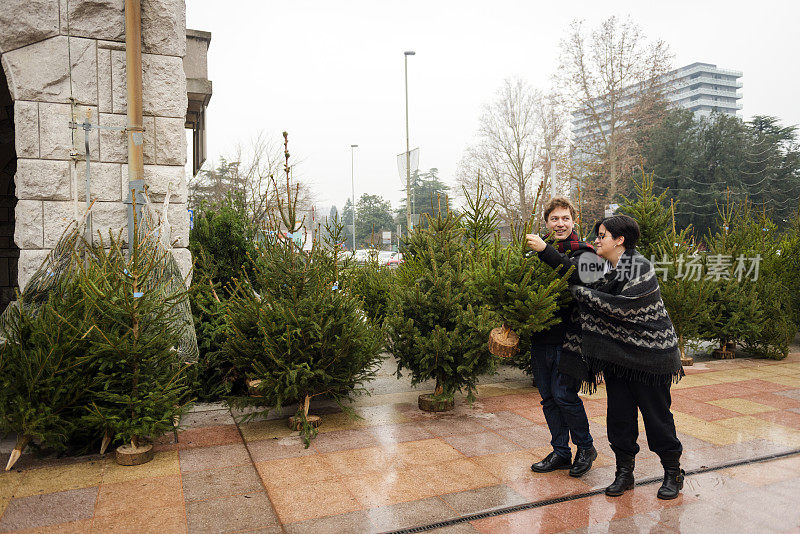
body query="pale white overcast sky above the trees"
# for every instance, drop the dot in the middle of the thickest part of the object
(331, 72)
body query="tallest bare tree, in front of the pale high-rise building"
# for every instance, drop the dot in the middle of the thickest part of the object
(612, 80)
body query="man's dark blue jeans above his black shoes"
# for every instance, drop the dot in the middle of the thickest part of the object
(563, 408)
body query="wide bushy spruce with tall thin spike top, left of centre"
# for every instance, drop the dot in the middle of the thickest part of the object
(301, 335)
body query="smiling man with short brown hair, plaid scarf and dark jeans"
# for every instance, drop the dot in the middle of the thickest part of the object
(563, 408)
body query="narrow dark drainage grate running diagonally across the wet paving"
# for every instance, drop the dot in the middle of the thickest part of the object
(577, 496)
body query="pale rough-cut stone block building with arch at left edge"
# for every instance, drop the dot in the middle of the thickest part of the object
(64, 61)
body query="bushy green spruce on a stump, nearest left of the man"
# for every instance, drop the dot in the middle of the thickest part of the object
(435, 327)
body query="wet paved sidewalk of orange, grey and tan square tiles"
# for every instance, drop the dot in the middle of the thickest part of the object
(399, 468)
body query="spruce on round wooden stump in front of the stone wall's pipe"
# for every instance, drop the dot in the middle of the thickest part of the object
(137, 319)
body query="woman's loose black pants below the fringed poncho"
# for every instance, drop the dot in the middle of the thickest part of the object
(624, 398)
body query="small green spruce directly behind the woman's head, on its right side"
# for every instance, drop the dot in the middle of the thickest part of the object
(650, 212)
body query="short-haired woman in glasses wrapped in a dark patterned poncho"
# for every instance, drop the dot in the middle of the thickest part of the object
(624, 332)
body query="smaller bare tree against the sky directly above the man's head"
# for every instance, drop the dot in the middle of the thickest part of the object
(506, 154)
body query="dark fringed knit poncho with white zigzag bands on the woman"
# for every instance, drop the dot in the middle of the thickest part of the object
(621, 326)
